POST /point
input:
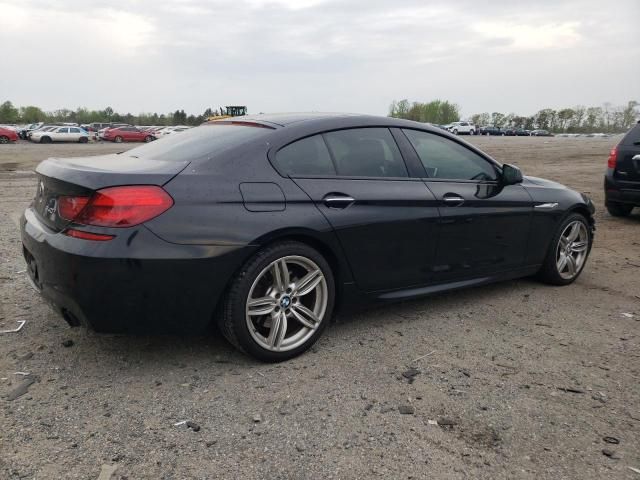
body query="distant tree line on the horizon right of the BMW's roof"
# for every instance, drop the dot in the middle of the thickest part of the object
(580, 119)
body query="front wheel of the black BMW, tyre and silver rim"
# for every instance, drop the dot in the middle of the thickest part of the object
(568, 251)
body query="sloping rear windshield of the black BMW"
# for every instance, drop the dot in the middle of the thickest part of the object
(198, 142)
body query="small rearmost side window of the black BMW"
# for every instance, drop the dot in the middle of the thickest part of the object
(308, 156)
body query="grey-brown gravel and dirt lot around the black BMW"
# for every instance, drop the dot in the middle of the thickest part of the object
(525, 380)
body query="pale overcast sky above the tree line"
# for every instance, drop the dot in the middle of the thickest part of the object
(326, 55)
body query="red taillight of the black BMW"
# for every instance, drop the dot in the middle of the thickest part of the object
(116, 206)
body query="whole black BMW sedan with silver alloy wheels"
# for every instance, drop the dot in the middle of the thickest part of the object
(267, 224)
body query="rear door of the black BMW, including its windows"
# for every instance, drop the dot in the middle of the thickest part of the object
(385, 220)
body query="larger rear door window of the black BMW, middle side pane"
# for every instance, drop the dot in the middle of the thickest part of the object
(366, 152)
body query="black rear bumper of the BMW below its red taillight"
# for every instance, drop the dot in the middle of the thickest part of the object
(133, 283)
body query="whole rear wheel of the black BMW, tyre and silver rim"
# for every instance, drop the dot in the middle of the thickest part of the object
(279, 303)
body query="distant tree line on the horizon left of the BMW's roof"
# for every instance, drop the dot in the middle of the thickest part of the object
(10, 114)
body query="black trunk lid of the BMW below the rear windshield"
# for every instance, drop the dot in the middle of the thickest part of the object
(81, 176)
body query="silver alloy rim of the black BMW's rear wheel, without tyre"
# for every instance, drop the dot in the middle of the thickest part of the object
(286, 303)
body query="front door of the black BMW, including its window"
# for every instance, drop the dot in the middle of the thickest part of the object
(484, 224)
